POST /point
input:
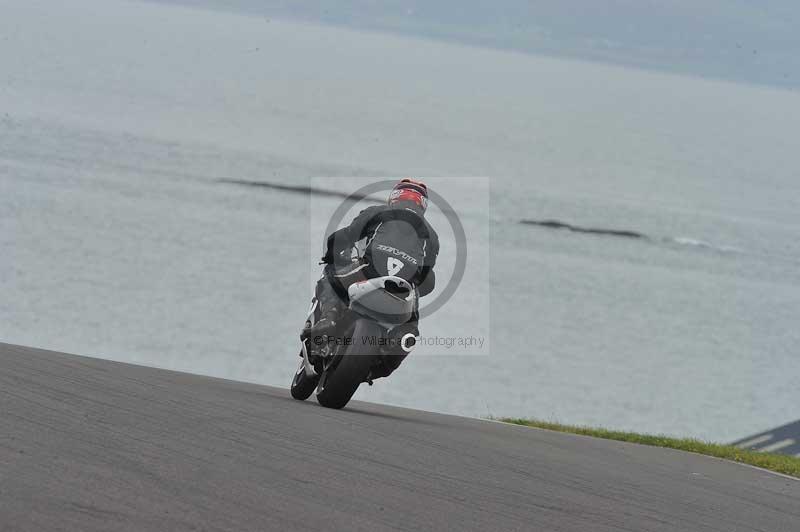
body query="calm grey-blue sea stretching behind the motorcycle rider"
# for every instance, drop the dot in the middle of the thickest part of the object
(117, 240)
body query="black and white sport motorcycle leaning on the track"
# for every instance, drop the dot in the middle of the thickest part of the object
(373, 329)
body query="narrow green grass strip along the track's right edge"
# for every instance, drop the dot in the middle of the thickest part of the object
(780, 463)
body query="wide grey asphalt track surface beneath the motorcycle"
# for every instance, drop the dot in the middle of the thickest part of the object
(87, 444)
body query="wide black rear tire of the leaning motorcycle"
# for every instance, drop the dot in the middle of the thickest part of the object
(340, 381)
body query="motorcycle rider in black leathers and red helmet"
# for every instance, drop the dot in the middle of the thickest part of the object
(391, 239)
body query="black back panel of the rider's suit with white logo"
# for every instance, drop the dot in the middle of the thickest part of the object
(396, 249)
